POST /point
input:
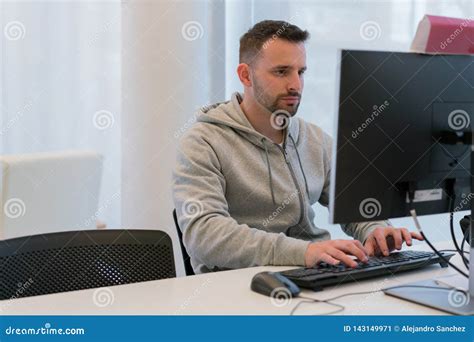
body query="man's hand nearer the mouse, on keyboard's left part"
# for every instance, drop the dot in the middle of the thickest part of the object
(335, 251)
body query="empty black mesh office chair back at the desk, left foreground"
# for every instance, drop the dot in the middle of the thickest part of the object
(76, 260)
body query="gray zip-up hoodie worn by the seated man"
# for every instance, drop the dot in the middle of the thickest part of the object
(243, 200)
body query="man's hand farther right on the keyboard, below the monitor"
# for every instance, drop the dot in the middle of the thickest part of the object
(383, 240)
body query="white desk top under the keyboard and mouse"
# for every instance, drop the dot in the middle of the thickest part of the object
(222, 293)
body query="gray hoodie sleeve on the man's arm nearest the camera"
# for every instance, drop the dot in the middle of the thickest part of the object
(211, 236)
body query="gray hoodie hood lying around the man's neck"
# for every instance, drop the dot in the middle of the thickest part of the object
(230, 114)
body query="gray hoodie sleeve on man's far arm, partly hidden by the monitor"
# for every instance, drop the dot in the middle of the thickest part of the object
(359, 230)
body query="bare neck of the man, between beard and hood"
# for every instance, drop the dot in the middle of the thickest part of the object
(260, 119)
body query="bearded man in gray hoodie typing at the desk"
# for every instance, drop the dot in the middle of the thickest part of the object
(246, 176)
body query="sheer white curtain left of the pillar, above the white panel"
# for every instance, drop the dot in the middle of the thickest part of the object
(60, 84)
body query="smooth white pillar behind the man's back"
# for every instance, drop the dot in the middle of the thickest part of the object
(166, 76)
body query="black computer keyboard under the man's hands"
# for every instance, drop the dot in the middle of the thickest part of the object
(327, 275)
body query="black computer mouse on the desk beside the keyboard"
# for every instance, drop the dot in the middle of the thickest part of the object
(273, 284)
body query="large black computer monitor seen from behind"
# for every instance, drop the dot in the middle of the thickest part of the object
(403, 137)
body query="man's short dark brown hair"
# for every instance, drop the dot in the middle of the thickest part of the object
(264, 33)
